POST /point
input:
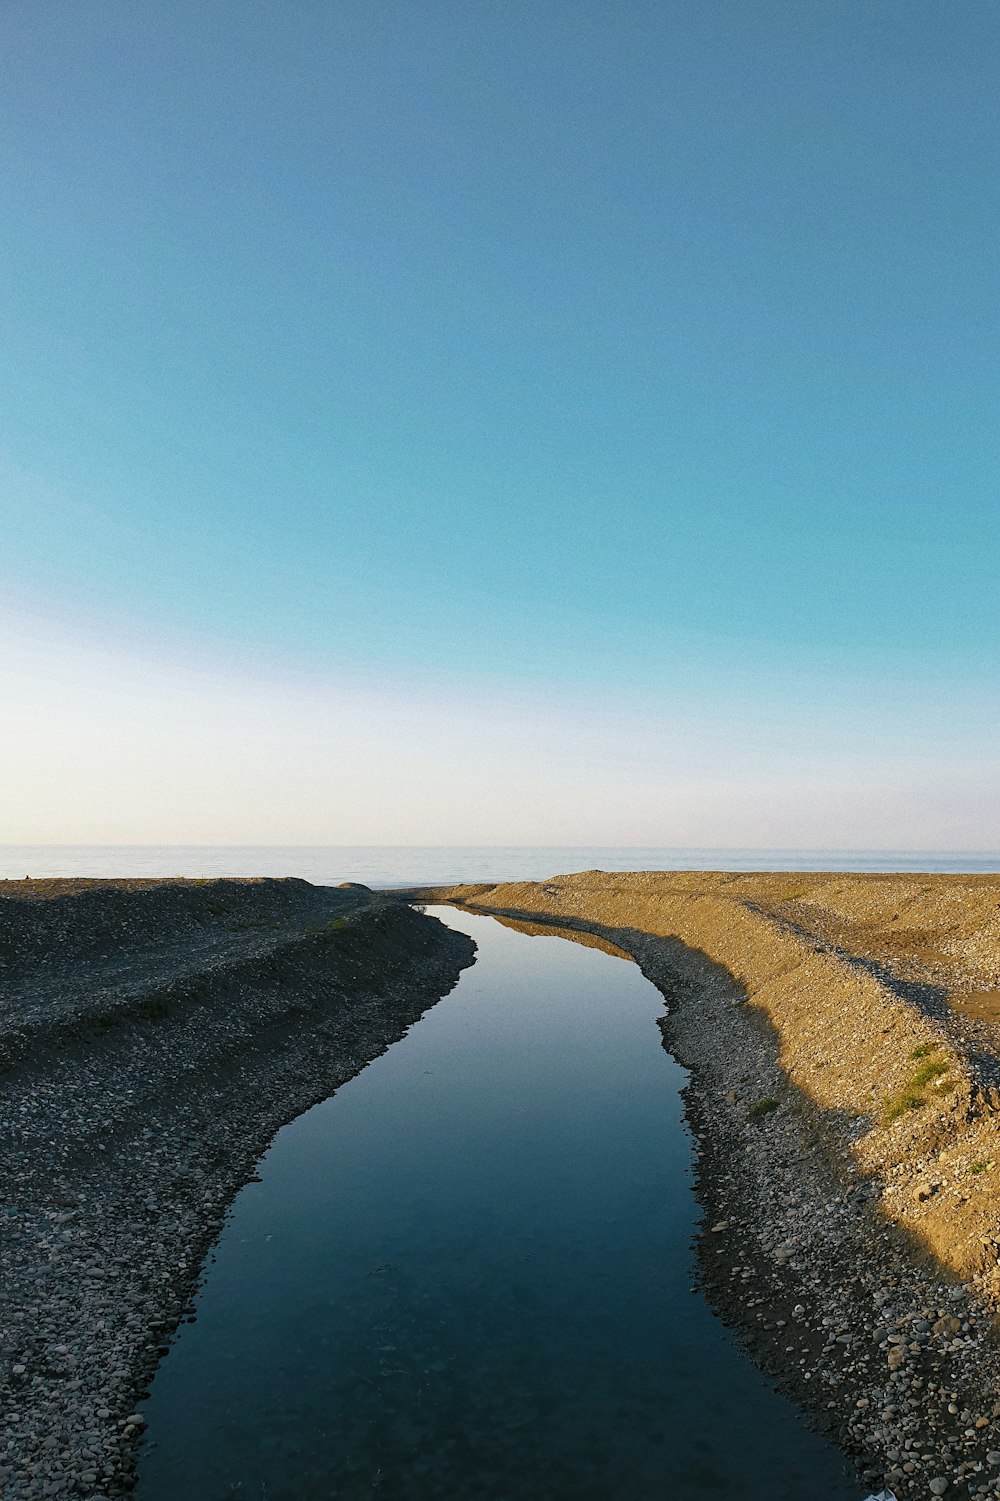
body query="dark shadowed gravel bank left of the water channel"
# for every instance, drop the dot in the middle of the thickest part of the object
(154, 1036)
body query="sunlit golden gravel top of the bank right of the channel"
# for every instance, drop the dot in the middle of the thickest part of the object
(863, 979)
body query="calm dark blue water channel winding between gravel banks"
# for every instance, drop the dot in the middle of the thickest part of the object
(469, 1277)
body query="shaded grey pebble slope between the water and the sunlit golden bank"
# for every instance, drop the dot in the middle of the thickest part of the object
(897, 1362)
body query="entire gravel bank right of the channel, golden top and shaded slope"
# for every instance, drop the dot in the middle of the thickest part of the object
(849, 1227)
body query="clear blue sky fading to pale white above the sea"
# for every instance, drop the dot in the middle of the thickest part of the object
(550, 423)
